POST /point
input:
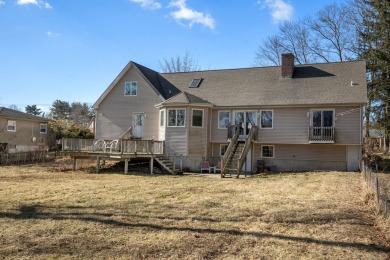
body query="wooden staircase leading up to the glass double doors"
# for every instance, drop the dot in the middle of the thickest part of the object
(236, 153)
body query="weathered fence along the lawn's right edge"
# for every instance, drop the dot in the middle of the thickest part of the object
(379, 188)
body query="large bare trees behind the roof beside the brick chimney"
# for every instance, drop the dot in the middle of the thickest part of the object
(326, 37)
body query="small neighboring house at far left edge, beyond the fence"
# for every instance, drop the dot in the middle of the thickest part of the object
(20, 132)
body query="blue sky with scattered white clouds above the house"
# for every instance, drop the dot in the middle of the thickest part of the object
(72, 50)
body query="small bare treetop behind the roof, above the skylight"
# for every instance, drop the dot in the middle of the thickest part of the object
(179, 64)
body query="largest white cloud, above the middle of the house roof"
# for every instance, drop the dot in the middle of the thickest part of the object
(190, 15)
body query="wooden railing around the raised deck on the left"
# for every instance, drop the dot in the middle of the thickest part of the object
(124, 146)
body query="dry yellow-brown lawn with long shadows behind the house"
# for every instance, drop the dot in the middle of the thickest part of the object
(46, 214)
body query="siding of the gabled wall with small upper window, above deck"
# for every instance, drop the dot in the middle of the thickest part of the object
(114, 115)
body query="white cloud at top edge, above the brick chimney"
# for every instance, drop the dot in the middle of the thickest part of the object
(279, 9)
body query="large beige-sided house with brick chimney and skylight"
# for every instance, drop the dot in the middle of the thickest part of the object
(307, 117)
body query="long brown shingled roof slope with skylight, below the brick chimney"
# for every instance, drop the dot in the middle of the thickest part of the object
(326, 83)
